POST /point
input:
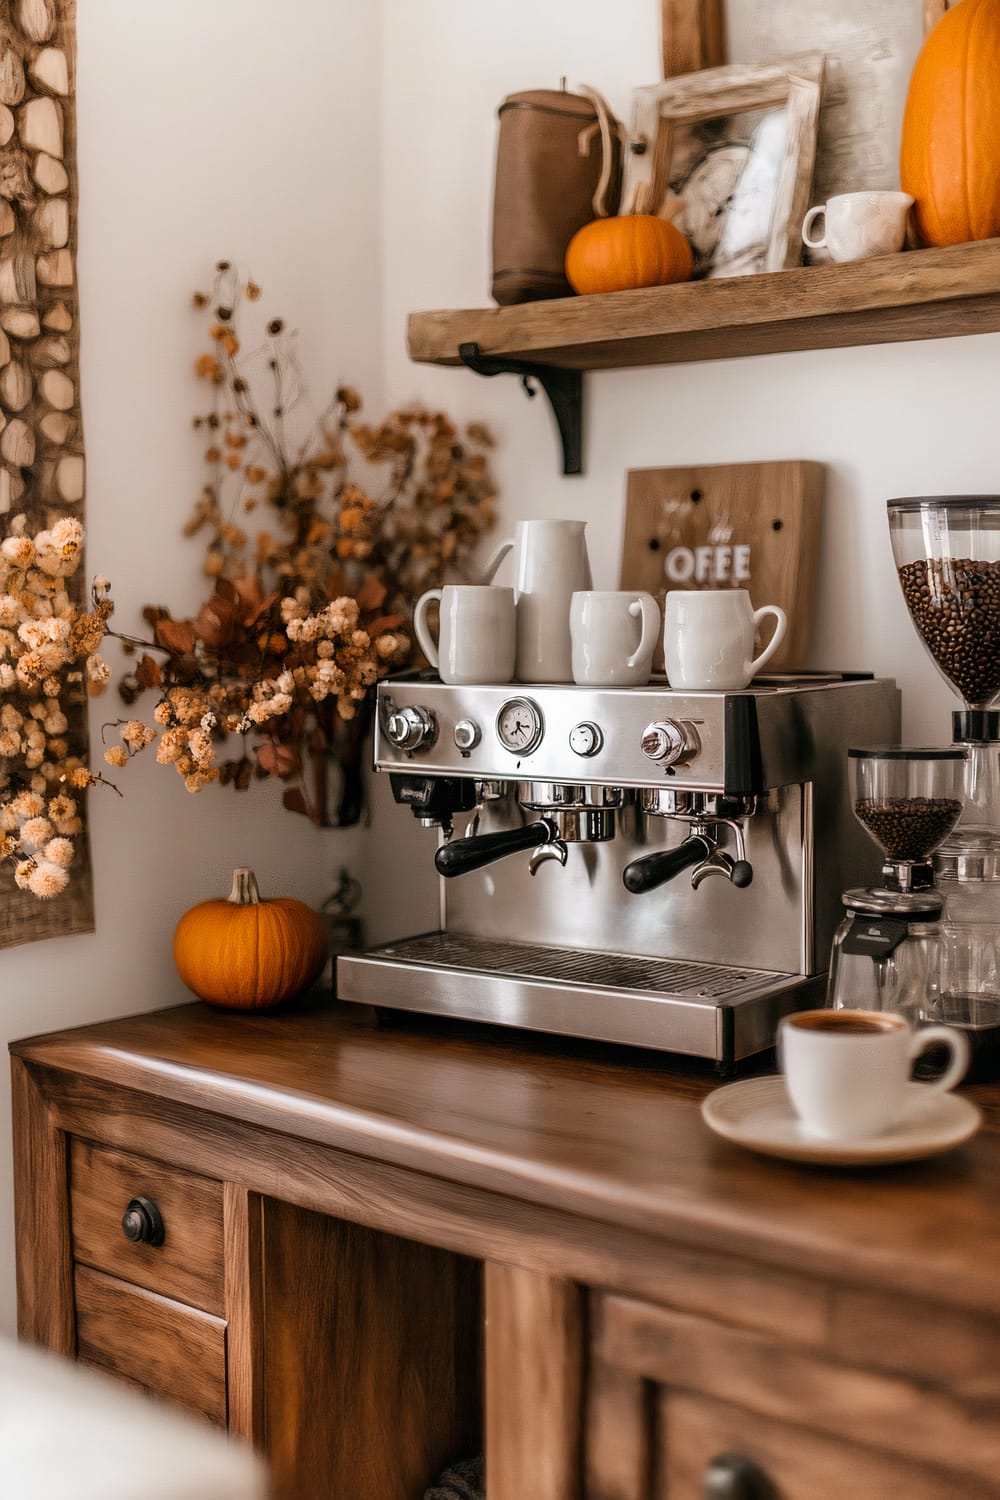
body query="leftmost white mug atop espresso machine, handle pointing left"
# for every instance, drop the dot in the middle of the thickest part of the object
(478, 632)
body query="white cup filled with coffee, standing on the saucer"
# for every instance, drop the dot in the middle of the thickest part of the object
(848, 1073)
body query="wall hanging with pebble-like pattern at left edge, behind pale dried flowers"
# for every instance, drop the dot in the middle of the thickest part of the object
(41, 436)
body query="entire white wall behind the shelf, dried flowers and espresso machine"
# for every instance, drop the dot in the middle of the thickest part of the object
(265, 130)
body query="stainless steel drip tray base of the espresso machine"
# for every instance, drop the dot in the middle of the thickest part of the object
(698, 1010)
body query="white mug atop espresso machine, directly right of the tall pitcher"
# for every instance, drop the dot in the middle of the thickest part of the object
(614, 635)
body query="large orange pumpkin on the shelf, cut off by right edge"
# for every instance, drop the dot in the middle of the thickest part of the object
(951, 128)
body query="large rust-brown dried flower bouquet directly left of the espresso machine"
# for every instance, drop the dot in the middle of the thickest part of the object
(314, 608)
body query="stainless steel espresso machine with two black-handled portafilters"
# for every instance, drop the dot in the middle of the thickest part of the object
(642, 866)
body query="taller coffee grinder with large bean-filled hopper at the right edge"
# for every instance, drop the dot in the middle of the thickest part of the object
(947, 551)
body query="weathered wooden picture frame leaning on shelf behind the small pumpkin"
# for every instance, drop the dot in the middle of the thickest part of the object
(728, 155)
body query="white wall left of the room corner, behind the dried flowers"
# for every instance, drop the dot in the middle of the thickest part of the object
(206, 130)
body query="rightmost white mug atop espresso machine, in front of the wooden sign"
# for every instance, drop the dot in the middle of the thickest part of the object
(708, 638)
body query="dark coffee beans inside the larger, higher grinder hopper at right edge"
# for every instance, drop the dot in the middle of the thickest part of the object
(956, 608)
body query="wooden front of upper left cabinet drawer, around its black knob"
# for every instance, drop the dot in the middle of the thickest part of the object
(188, 1265)
